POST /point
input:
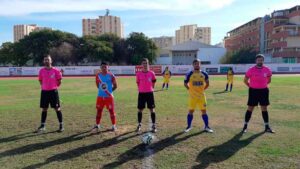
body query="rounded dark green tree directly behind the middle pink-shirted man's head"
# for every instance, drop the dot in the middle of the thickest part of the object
(139, 46)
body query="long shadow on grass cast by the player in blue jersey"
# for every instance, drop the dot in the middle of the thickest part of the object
(39, 146)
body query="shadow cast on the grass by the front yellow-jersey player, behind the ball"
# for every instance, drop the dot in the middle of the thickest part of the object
(141, 151)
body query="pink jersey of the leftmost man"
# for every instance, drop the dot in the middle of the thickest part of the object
(49, 78)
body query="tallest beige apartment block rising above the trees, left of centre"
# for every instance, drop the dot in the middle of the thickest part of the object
(102, 25)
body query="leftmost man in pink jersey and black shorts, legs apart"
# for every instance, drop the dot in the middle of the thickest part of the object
(50, 80)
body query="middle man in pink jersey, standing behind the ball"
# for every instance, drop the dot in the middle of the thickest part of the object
(146, 81)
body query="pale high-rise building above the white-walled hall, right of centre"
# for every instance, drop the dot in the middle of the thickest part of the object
(192, 32)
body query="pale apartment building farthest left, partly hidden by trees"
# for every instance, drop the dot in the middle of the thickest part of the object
(20, 31)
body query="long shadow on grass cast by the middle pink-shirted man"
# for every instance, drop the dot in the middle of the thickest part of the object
(85, 149)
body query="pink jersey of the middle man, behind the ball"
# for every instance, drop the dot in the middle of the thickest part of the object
(145, 81)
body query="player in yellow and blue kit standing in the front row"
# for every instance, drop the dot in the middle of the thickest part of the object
(196, 82)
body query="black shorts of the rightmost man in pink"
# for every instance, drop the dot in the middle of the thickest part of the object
(260, 96)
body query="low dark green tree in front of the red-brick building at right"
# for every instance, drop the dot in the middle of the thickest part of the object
(242, 56)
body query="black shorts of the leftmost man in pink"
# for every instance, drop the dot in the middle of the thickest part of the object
(51, 97)
